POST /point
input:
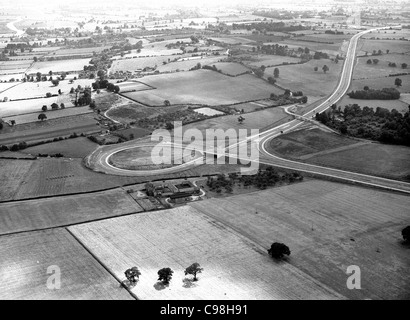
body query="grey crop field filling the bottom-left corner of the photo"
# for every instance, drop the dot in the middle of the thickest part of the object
(26, 258)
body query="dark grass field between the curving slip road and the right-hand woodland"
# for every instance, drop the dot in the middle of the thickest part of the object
(315, 147)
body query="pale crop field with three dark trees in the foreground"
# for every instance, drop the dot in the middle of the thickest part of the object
(234, 267)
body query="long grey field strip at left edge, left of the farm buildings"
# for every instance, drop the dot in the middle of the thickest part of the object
(65, 210)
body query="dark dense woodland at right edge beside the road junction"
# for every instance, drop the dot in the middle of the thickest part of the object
(382, 125)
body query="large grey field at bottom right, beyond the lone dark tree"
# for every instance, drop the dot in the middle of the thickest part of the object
(328, 226)
